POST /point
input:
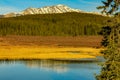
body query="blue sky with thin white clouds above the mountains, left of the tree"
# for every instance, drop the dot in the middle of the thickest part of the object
(19, 5)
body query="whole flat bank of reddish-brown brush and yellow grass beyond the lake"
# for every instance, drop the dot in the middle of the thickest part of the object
(49, 47)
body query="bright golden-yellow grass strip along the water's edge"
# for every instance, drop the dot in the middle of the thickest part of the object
(35, 52)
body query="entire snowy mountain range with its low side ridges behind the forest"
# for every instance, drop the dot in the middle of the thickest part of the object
(47, 10)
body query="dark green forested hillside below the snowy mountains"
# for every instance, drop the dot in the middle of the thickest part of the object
(66, 24)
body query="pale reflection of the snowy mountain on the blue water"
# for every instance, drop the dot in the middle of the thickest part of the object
(48, 65)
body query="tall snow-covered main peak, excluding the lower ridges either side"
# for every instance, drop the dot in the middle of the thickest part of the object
(49, 10)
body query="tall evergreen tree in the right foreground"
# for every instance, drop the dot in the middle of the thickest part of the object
(111, 34)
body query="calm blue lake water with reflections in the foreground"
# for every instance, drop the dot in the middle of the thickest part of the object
(47, 70)
